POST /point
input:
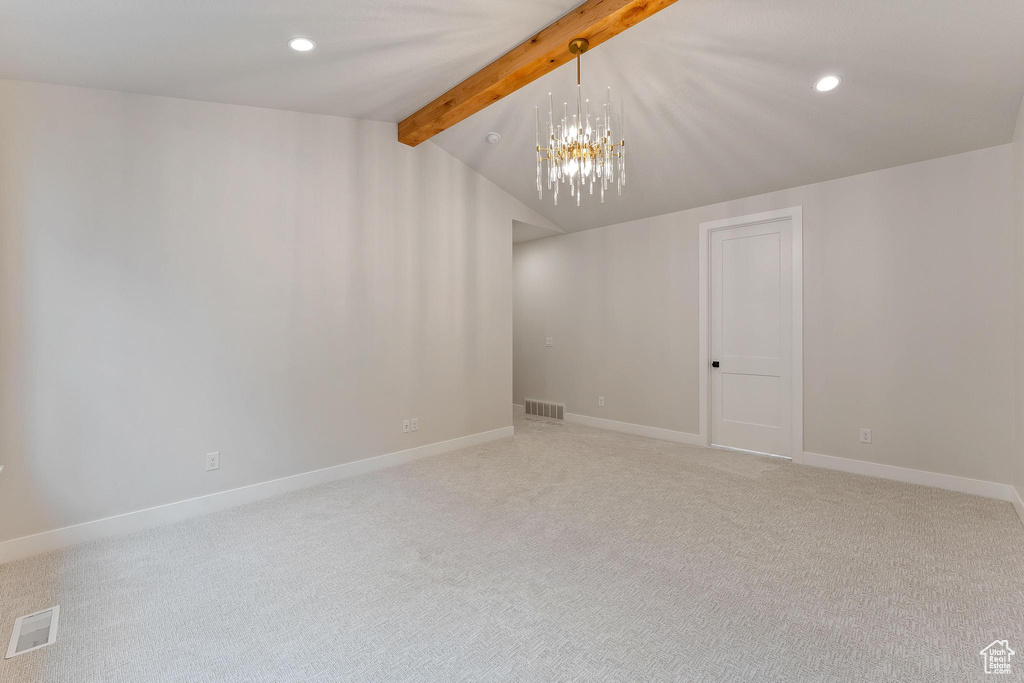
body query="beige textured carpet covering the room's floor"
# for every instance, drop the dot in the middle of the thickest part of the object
(563, 554)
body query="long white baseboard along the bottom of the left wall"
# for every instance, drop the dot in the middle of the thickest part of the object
(172, 513)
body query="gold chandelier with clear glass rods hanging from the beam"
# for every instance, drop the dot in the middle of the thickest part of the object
(581, 154)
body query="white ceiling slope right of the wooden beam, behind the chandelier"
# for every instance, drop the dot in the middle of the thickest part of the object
(720, 105)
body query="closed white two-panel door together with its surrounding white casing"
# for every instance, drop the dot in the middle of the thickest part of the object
(751, 324)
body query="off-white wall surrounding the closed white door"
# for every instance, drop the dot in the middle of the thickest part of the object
(909, 279)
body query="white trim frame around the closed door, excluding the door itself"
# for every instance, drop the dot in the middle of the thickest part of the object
(796, 217)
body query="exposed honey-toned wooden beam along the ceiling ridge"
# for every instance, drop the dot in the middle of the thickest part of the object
(598, 21)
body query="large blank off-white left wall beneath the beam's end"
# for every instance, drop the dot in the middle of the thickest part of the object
(179, 278)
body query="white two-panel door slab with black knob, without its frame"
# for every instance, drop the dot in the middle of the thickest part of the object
(752, 337)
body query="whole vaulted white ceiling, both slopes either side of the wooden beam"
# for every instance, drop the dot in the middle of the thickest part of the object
(718, 93)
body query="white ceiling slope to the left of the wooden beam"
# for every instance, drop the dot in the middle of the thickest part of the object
(378, 60)
